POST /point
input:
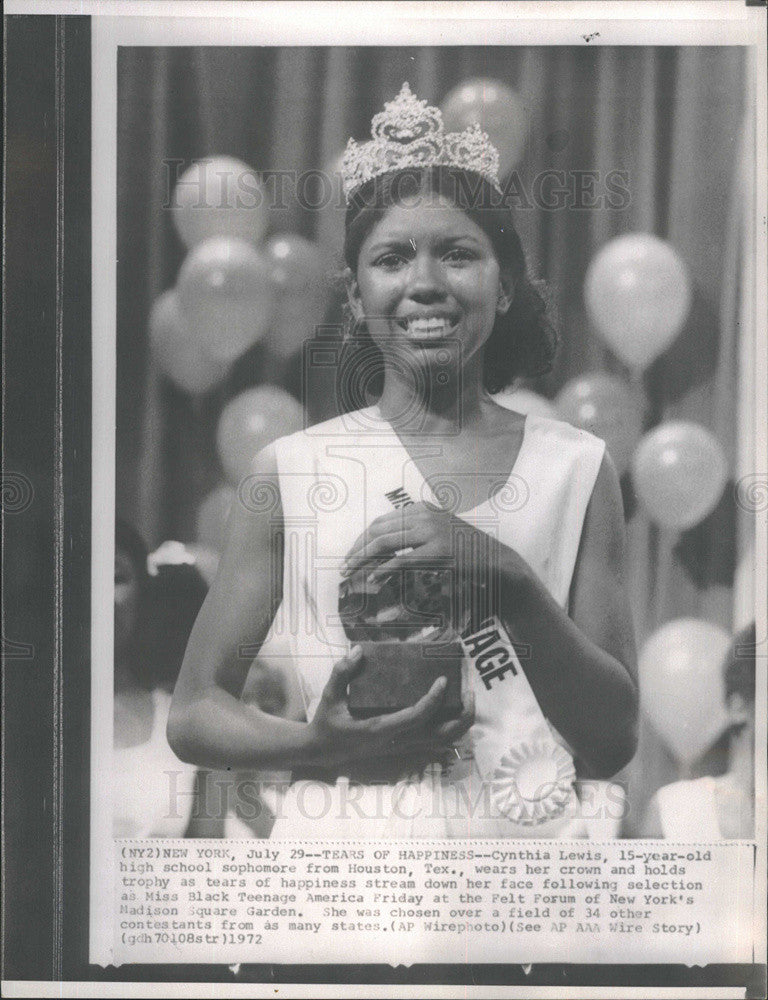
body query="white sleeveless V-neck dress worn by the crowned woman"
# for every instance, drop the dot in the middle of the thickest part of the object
(335, 479)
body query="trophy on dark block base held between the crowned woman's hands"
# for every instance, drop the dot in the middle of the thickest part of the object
(401, 622)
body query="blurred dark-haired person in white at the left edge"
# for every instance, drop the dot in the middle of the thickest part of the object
(157, 598)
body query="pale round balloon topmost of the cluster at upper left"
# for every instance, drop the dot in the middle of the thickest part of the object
(219, 197)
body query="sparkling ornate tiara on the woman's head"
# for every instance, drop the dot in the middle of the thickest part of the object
(409, 133)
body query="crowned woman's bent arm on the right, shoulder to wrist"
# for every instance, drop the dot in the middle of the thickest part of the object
(582, 668)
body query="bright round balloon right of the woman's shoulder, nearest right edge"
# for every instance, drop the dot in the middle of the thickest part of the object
(679, 472)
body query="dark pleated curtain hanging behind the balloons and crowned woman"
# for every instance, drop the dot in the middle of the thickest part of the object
(672, 118)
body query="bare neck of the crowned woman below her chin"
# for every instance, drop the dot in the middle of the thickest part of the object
(425, 406)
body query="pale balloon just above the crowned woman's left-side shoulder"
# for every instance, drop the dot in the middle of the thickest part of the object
(249, 422)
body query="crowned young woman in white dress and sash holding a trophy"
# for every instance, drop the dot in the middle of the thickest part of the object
(436, 281)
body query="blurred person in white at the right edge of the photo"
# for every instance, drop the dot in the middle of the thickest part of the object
(721, 807)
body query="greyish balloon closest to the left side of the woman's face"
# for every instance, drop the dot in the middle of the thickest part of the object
(300, 287)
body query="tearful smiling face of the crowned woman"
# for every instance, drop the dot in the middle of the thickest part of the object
(427, 273)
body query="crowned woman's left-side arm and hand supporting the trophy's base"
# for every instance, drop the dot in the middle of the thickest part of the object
(210, 726)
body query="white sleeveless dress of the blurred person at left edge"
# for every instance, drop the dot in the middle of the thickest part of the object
(152, 788)
